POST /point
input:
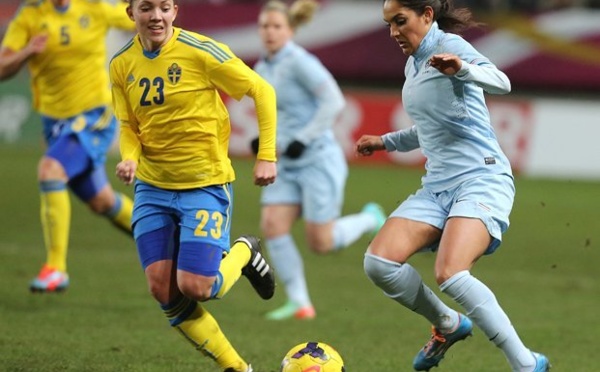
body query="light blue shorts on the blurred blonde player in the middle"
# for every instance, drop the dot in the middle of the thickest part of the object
(318, 188)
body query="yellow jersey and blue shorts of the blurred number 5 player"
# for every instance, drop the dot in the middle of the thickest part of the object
(69, 81)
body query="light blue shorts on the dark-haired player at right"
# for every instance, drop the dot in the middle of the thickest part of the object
(487, 198)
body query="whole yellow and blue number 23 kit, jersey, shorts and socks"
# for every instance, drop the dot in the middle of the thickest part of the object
(175, 126)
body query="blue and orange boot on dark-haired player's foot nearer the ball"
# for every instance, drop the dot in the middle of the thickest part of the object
(432, 353)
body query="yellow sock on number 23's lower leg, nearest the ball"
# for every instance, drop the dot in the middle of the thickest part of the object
(203, 331)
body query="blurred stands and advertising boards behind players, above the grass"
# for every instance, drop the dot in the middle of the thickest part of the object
(549, 49)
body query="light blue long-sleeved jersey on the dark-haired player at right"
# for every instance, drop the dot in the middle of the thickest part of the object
(451, 121)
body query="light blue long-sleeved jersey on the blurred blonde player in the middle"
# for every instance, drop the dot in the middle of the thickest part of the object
(308, 103)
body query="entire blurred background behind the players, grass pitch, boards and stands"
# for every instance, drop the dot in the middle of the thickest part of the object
(546, 274)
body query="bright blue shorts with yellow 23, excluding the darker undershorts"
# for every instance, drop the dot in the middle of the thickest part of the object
(202, 215)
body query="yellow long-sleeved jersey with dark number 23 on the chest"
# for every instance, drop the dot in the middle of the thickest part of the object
(173, 121)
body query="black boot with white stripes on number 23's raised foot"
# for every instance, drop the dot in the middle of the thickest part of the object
(258, 271)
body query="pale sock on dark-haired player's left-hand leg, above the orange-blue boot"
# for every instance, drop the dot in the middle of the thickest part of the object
(403, 284)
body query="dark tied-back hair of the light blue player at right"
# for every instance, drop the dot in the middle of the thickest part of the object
(449, 19)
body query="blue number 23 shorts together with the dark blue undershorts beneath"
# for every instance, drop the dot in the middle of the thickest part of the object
(191, 227)
